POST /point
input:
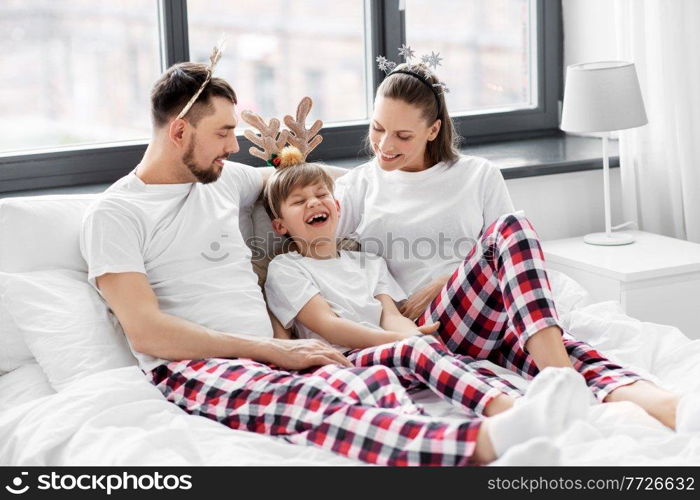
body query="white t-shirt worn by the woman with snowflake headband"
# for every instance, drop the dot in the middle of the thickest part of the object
(423, 223)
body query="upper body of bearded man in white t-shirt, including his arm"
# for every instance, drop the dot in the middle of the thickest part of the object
(171, 204)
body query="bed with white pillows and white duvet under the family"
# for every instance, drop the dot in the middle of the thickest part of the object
(71, 394)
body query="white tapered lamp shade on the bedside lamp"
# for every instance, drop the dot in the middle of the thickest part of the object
(601, 97)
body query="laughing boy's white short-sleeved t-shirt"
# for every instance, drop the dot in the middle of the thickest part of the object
(349, 284)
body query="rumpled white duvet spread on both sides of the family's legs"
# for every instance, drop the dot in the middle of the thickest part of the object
(117, 418)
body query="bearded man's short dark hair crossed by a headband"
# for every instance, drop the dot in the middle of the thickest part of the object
(177, 85)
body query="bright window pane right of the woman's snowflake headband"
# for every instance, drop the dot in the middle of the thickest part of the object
(485, 47)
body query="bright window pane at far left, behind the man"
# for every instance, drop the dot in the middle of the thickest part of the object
(76, 71)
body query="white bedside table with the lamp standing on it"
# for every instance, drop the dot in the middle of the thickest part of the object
(656, 278)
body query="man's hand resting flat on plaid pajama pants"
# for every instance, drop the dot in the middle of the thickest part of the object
(302, 353)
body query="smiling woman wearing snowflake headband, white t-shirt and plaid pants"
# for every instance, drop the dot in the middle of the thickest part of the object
(421, 205)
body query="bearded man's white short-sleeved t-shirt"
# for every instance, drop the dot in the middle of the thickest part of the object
(186, 239)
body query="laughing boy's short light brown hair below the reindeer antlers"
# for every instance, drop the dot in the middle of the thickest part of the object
(285, 180)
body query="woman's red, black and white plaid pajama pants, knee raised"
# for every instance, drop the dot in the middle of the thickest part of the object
(499, 296)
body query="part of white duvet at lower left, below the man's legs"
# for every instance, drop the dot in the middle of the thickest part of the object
(116, 417)
